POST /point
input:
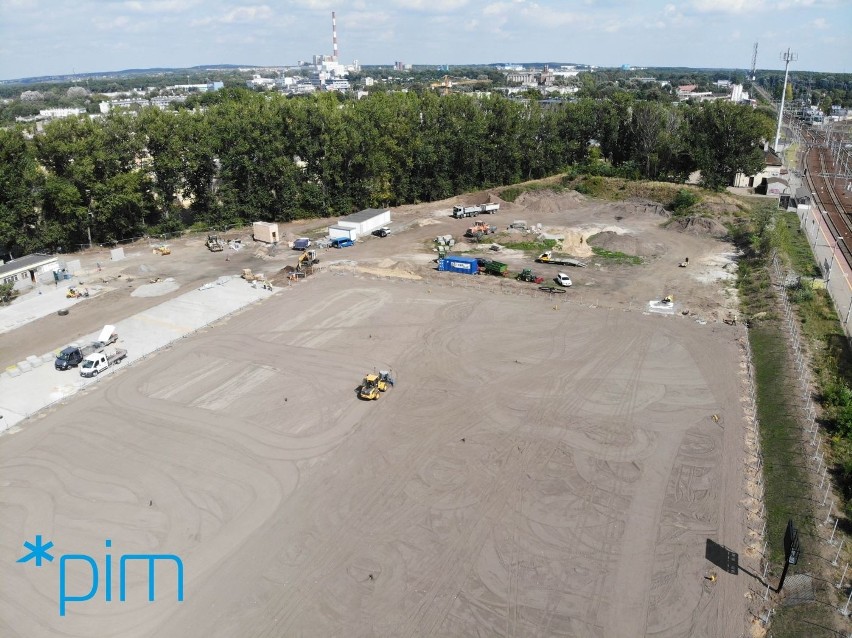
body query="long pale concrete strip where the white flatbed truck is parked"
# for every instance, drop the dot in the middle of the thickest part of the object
(22, 395)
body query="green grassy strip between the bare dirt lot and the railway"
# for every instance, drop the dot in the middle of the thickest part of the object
(787, 481)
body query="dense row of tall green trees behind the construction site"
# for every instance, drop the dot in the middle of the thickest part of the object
(254, 156)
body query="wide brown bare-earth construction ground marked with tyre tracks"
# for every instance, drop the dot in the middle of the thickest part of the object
(544, 465)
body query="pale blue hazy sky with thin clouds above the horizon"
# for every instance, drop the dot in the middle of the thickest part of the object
(58, 37)
